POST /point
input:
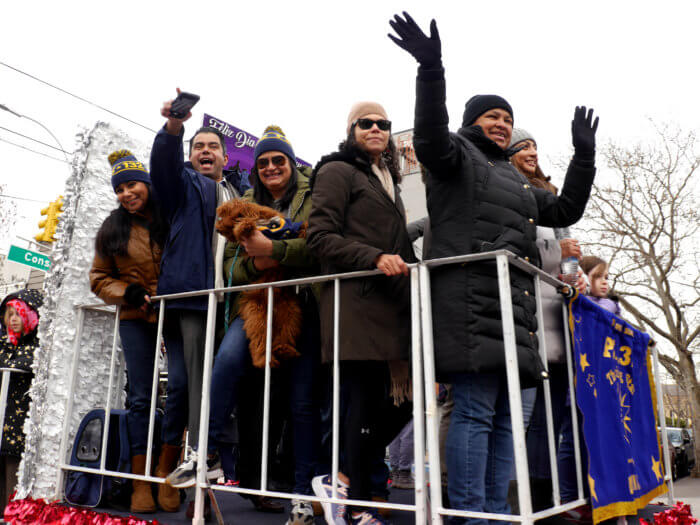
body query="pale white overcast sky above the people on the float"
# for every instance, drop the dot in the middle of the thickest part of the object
(301, 65)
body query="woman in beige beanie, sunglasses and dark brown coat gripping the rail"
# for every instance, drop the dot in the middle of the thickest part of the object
(358, 222)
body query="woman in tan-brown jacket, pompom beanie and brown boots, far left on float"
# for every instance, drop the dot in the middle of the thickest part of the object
(125, 272)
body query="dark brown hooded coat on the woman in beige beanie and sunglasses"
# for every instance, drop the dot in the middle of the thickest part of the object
(352, 222)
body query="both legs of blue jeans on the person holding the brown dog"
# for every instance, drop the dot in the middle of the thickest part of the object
(298, 380)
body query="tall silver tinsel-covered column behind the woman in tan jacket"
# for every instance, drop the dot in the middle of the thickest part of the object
(88, 199)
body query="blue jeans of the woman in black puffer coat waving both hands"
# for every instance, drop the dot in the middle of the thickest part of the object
(479, 445)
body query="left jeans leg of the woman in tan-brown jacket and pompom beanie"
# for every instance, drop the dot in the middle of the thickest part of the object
(139, 345)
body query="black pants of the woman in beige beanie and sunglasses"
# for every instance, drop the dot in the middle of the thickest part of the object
(372, 420)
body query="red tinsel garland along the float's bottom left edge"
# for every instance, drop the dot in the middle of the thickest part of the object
(30, 511)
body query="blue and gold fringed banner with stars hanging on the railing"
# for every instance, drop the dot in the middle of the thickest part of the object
(616, 394)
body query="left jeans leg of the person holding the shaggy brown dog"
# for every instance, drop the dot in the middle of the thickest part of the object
(230, 365)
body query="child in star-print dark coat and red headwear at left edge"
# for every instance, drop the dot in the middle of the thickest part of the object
(20, 319)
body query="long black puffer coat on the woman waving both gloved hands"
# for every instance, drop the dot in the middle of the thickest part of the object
(478, 202)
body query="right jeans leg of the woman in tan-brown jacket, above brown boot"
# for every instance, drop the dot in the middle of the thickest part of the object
(176, 403)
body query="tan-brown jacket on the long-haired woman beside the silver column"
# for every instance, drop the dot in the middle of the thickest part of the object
(109, 276)
